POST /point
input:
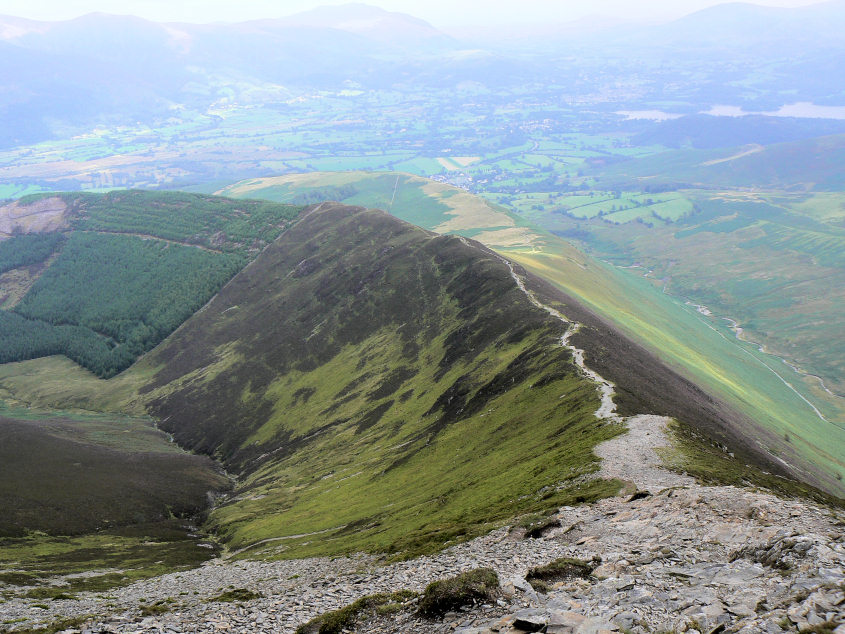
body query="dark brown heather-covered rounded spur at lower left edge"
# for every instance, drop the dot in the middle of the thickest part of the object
(67, 475)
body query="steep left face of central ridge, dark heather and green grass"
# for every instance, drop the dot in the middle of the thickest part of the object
(391, 390)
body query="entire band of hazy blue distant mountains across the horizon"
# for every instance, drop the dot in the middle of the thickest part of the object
(64, 77)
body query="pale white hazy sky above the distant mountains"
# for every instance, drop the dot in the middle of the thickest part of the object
(441, 13)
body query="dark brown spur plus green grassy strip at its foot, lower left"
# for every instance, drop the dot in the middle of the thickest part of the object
(108, 496)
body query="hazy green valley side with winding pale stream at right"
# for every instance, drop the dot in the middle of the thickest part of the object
(714, 258)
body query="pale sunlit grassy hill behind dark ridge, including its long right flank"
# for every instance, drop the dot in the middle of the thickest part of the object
(731, 370)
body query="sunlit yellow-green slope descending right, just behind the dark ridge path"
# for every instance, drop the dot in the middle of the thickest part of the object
(710, 355)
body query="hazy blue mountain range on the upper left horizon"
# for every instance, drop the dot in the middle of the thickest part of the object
(103, 68)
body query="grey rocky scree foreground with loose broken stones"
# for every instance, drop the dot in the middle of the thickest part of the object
(676, 556)
